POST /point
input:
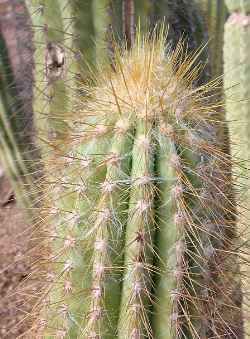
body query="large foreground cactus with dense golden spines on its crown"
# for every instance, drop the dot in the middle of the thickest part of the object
(138, 223)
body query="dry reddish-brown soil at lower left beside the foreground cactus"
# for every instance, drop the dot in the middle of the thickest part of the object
(13, 267)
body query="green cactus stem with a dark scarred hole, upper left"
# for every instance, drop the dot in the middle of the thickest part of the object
(55, 67)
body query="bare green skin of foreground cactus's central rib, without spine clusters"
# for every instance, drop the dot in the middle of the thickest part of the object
(142, 165)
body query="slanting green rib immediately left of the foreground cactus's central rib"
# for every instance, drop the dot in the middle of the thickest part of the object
(108, 233)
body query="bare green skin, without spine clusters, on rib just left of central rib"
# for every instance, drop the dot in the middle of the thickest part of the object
(113, 234)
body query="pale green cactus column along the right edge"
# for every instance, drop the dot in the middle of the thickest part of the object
(236, 69)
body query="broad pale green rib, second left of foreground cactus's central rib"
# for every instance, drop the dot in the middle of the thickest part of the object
(70, 272)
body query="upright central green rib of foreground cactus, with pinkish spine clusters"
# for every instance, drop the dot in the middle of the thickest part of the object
(138, 260)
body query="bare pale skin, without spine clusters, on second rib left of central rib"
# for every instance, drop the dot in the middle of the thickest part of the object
(70, 202)
